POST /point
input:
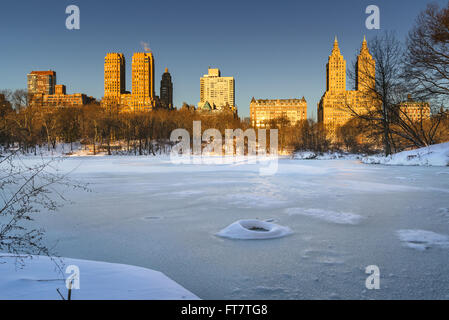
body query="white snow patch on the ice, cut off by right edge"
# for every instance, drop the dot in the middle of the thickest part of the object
(422, 239)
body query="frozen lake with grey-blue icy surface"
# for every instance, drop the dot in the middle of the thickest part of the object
(344, 215)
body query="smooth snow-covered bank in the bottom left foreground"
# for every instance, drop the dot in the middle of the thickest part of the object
(40, 278)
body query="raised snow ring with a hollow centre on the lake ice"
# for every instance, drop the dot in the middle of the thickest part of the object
(254, 230)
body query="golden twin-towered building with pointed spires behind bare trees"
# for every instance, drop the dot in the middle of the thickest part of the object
(334, 108)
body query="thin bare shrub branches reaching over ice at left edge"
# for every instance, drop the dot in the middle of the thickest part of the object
(26, 190)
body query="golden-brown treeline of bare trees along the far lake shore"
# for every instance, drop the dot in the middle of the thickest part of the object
(108, 130)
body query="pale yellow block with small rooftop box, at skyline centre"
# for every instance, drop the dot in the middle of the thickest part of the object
(217, 91)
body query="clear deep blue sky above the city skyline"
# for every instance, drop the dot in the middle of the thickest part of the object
(274, 49)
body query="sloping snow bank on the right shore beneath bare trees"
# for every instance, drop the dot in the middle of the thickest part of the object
(434, 155)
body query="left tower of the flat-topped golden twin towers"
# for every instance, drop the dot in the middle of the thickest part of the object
(114, 75)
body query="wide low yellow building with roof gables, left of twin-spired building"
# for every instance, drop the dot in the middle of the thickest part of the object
(262, 111)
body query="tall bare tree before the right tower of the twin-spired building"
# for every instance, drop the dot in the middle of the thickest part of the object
(384, 97)
